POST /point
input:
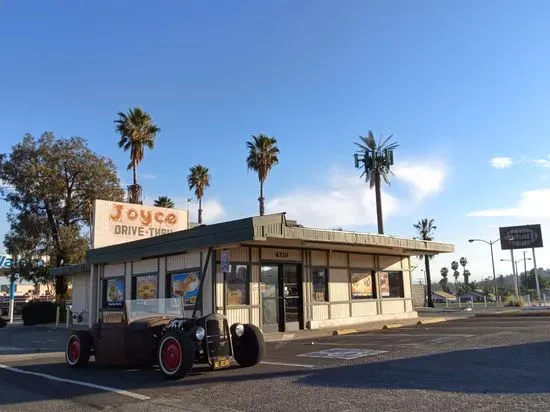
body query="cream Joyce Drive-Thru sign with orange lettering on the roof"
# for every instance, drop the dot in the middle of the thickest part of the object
(119, 222)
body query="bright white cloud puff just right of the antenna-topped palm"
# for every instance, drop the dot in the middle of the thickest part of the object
(423, 180)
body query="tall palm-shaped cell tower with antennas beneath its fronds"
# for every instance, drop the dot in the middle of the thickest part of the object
(377, 159)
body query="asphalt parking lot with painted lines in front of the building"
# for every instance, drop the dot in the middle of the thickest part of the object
(474, 363)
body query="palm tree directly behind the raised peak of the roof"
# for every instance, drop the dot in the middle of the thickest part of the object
(263, 154)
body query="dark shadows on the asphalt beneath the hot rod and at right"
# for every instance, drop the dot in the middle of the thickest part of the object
(518, 369)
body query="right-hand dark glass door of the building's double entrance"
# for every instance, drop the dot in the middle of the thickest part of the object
(291, 285)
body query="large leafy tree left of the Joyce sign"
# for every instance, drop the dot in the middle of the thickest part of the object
(55, 182)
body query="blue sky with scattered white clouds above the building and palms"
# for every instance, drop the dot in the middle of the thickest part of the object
(457, 84)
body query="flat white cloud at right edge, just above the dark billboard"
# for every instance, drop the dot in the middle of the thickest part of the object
(533, 203)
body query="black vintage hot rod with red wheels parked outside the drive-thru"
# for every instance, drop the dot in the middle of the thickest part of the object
(152, 332)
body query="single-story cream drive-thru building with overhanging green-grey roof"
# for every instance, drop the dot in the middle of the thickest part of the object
(278, 275)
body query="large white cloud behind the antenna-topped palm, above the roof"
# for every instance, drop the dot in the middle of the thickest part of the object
(348, 200)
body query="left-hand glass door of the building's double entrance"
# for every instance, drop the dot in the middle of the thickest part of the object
(270, 298)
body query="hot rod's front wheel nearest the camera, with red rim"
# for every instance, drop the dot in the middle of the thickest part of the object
(176, 354)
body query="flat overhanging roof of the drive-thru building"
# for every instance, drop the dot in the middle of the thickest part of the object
(260, 230)
